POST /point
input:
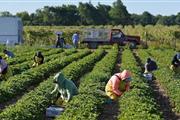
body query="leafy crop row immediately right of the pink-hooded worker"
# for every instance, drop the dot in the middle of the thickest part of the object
(138, 103)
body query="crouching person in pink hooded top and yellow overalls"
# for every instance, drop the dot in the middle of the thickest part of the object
(118, 84)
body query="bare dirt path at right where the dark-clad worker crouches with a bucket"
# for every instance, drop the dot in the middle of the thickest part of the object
(160, 96)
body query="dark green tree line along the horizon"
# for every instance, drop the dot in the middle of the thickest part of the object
(88, 14)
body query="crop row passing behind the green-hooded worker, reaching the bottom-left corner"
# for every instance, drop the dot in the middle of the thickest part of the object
(33, 105)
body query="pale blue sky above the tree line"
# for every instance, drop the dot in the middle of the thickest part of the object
(155, 7)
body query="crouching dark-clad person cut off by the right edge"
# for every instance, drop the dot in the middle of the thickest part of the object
(175, 64)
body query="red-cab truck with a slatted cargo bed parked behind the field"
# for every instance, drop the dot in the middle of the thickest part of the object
(95, 37)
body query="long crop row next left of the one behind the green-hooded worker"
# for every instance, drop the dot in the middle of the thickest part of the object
(19, 83)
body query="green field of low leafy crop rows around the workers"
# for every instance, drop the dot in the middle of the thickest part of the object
(26, 94)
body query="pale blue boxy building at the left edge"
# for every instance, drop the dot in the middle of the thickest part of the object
(11, 29)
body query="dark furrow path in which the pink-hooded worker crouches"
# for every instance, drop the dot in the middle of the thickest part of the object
(111, 111)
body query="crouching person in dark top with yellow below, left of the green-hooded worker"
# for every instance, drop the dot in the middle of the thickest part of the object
(38, 59)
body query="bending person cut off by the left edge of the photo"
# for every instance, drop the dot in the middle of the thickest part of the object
(4, 70)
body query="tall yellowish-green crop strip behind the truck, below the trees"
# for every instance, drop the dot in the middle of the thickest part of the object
(155, 35)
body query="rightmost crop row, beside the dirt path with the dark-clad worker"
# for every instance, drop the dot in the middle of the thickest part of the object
(168, 80)
